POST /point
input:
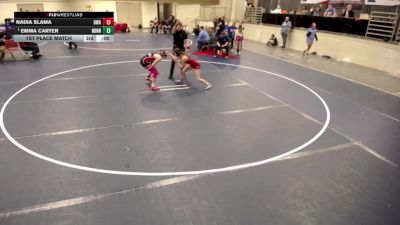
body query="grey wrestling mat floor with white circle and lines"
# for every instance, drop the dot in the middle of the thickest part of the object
(84, 141)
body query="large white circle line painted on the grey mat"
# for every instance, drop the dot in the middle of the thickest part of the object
(179, 173)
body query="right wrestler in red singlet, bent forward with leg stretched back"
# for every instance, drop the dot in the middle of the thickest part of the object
(187, 64)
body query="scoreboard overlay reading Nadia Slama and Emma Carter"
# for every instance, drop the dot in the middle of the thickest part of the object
(64, 26)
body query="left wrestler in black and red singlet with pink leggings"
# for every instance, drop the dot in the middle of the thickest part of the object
(149, 61)
